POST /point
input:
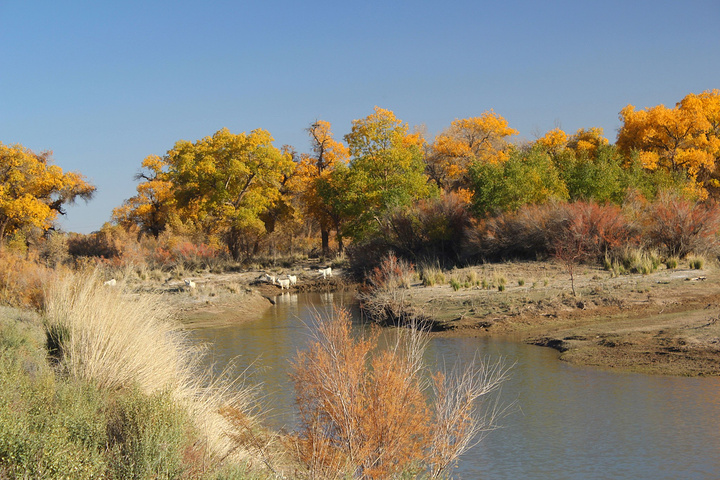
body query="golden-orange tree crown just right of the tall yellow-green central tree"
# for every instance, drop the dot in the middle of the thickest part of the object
(468, 140)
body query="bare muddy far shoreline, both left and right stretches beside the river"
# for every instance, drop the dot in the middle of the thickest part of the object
(664, 323)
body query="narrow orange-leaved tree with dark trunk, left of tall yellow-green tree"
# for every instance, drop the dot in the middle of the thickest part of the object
(315, 169)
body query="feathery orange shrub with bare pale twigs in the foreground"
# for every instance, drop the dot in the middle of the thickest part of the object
(366, 412)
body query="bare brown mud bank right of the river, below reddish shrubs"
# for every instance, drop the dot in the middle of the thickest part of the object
(662, 323)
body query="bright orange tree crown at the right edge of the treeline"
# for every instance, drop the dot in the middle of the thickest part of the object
(685, 138)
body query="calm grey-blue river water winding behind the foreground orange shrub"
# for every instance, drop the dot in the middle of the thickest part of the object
(568, 423)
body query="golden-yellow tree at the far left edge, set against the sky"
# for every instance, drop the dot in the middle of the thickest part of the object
(32, 191)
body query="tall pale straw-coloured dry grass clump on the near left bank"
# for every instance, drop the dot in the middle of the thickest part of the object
(119, 341)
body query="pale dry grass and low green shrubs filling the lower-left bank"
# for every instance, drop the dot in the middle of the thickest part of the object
(99, 385)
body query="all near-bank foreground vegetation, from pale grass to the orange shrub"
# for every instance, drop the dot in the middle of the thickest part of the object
(101, 383)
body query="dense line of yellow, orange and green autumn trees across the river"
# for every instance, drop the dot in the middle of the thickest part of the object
(387, 188)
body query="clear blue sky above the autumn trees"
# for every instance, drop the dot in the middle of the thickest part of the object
(105, 83)
